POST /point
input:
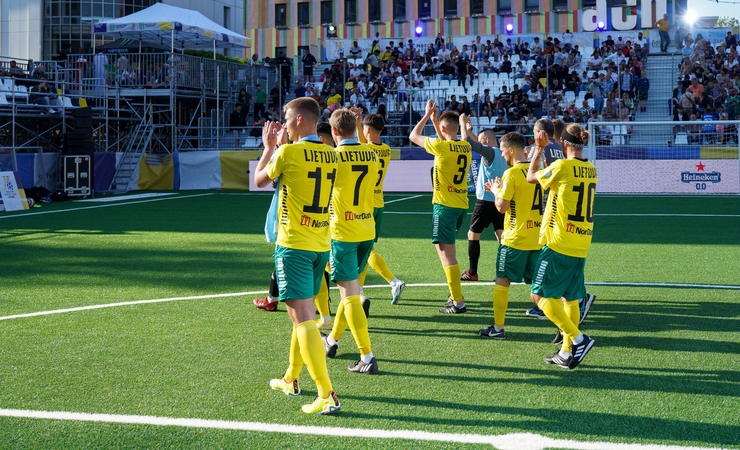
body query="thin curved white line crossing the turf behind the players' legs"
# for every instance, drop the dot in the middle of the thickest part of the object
(376, 286)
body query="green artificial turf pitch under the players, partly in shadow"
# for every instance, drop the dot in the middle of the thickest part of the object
(665, 368)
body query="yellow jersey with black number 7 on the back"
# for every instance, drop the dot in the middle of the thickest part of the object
(353, 197)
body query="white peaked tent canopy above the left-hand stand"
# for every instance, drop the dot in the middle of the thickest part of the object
(165, 24)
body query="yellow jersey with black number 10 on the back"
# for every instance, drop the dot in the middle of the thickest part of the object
(570, 225)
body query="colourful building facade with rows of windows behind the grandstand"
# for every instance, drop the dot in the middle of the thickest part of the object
(296, 24)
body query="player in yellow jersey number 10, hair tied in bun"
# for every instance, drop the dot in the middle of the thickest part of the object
(559, 273)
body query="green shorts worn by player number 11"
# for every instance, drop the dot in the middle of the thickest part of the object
(299, 272)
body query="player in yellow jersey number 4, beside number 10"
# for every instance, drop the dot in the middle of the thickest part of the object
(521, 202)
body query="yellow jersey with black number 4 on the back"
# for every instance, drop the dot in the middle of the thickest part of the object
(523, 218)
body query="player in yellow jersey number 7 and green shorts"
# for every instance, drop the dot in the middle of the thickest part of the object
(352, 236)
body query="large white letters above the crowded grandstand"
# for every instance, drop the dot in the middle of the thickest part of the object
(619, 20)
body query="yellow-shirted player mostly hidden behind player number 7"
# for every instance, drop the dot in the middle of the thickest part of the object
(368, 133)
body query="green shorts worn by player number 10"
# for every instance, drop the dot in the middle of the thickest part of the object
(559, 276)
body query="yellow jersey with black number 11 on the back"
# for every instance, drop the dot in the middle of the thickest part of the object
(307, 171)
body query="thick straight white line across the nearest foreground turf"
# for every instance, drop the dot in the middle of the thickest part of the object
(518, 441)
